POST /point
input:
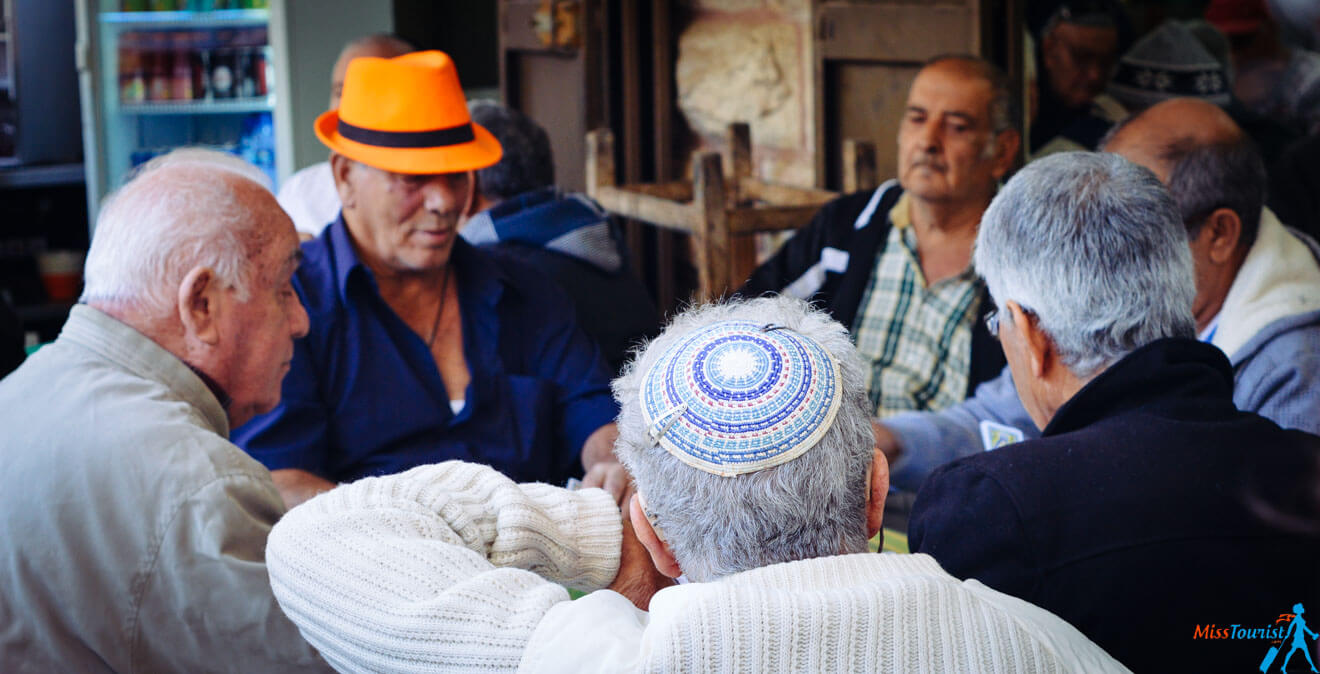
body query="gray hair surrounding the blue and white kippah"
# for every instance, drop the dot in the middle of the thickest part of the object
(811, 507)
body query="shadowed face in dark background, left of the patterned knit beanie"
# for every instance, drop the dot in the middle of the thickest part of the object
(1078, 61)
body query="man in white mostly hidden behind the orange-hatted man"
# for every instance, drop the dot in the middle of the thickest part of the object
(310, 196)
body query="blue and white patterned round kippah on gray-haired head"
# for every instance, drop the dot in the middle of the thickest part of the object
(740, 398)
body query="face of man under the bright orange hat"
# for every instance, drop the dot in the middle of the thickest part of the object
(406, 224)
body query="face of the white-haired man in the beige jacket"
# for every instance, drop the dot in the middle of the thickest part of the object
(258, 334)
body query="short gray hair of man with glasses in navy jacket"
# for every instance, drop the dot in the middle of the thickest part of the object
(1094, 246)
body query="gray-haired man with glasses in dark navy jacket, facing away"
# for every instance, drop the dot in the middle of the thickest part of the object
(1150, 507)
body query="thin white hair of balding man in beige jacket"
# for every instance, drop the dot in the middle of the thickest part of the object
(176, 213)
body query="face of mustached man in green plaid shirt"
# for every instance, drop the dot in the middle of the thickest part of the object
(946, 144)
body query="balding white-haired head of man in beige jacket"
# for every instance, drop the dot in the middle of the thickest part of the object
(196, 255)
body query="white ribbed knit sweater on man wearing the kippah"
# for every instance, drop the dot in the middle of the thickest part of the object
(453, 568)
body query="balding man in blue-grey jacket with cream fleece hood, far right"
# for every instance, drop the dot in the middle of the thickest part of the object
(1259, 292)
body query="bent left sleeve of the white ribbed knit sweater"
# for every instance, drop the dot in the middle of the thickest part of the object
(442, 568)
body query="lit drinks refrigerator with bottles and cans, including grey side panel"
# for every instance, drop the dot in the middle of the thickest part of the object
(241, 76)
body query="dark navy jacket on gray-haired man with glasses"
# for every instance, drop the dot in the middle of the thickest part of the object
(1150, 512)
